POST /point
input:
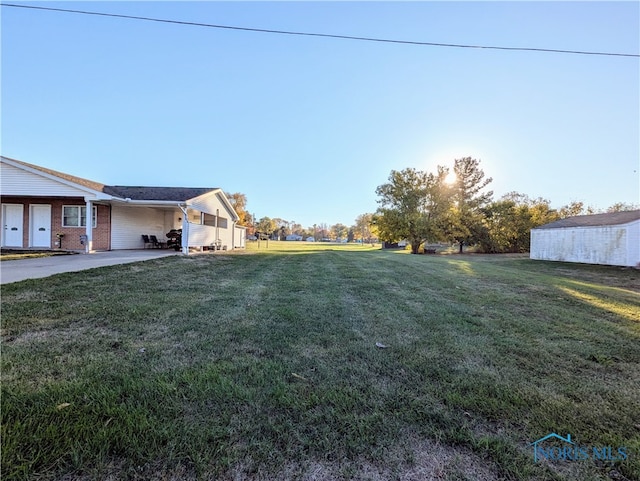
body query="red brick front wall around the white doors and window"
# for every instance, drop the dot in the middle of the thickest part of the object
(71, 241)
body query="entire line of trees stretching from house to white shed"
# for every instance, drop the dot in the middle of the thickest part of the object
(433, 207)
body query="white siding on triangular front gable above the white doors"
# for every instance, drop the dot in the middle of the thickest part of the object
(14, 181)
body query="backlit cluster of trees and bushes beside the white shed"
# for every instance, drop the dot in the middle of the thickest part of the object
(425, 207)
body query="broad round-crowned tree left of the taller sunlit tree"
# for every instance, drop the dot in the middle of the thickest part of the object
(413, 206)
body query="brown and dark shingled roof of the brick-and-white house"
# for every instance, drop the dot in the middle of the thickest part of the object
(177, 194)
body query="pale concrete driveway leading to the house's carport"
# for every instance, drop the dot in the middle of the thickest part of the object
(19, 270)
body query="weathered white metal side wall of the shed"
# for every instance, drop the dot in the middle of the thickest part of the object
(617, 245)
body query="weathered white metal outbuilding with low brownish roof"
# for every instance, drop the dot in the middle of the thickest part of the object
(612, 239)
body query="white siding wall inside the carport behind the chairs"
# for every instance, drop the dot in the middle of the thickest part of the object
(129, 223)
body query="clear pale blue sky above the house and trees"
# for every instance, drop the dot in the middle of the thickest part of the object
(308, 127)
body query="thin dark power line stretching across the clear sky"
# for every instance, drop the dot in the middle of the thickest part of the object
(324, 35)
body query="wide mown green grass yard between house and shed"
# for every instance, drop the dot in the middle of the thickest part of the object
(263, 365)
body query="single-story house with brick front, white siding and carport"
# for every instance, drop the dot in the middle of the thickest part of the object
(46, 209)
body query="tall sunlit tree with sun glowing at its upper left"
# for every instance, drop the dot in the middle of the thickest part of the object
(466, 214)
